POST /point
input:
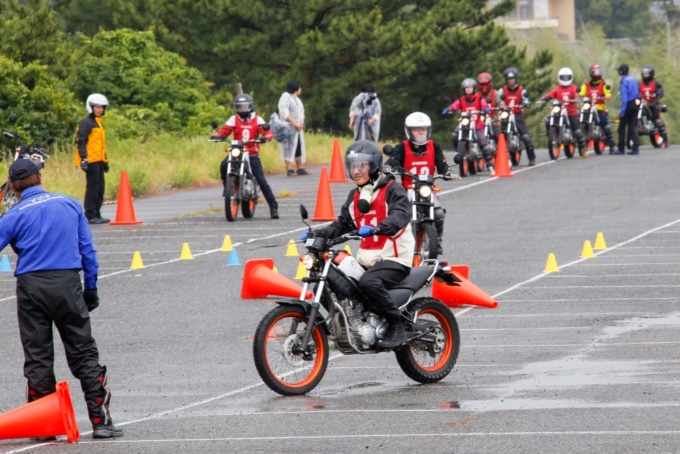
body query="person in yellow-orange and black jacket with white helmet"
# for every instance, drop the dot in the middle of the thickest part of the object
(91, 156)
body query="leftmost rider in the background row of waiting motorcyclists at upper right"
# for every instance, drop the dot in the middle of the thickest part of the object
(473, 102)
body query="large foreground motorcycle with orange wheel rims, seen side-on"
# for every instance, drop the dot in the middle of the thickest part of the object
(291, 346)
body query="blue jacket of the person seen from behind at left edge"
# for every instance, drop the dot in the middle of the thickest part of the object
(49, 232)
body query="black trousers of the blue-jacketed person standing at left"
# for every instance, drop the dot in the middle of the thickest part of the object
(47, 297)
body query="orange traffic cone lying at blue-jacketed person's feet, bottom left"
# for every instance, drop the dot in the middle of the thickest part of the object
(49, 416)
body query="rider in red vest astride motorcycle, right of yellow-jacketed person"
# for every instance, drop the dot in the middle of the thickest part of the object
(247, 125)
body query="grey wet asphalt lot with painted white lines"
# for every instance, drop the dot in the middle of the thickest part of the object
(584, 359)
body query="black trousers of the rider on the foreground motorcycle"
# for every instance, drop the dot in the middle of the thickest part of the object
(374, 285)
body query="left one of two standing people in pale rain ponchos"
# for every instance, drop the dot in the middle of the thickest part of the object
(292, 147)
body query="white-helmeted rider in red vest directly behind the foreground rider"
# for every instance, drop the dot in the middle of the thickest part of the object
(421, 155)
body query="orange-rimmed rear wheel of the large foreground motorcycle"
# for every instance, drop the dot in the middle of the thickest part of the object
(431, 358)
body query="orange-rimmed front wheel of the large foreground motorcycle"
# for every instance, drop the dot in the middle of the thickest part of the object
(279, 362)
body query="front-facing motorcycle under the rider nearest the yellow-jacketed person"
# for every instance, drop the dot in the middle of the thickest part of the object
(240, 187)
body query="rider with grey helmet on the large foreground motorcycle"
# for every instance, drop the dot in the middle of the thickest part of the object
(379, 209)
